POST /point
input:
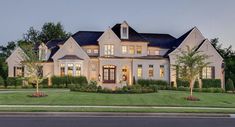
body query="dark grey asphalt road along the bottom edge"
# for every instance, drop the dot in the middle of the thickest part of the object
(113, 121)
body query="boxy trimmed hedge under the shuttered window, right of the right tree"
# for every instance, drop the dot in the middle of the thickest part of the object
(211, 83)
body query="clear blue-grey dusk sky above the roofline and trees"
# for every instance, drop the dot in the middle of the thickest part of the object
(214, 18)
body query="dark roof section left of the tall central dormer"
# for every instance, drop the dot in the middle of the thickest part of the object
(87, 37)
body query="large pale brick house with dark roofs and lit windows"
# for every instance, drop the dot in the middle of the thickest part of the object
(119, 55)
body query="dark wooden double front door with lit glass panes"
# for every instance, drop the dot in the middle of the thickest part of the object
(109, 74)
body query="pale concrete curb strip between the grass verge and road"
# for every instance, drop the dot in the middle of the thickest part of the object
(113, 114)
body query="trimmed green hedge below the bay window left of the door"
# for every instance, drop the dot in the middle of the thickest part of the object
(63, 82)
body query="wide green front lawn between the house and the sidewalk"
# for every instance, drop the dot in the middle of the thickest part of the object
(162, 98)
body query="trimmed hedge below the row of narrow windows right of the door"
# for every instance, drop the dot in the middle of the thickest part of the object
(160, 84)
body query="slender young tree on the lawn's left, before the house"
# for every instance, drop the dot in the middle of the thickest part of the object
(33, 65)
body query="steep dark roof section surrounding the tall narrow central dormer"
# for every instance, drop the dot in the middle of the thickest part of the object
(133, 35)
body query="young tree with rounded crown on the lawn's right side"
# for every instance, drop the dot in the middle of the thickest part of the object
(189, 64)
